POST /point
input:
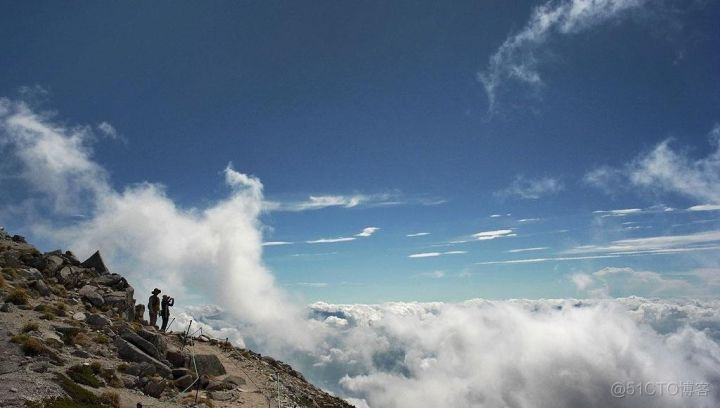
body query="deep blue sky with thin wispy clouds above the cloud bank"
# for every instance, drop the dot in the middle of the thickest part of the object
(409, 117)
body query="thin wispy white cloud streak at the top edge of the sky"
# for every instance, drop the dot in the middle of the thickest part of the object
(518, 59)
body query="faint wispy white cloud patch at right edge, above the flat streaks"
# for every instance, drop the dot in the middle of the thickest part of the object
(667, 170)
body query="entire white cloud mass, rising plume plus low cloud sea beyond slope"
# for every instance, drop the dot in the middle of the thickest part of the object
(478, 353)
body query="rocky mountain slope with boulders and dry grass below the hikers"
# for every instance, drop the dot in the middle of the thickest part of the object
(70, 337)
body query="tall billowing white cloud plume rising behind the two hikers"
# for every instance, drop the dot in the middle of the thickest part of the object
(195, 254)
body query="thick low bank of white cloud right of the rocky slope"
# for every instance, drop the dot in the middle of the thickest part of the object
(469, 354)
